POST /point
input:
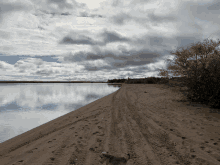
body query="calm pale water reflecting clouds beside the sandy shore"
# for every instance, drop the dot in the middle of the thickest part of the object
(26, 106)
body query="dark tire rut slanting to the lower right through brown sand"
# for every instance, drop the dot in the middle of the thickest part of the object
(156, 139)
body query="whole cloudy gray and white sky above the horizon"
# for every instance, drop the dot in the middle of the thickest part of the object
(84, 40)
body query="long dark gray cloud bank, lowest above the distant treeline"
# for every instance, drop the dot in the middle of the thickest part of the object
(135, 58)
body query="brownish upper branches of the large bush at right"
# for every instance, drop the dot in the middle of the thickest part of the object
(203, 52)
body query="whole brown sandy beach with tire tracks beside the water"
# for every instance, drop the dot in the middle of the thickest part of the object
(131, 126)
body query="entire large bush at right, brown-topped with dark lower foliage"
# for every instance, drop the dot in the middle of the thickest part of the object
(201, 64)
